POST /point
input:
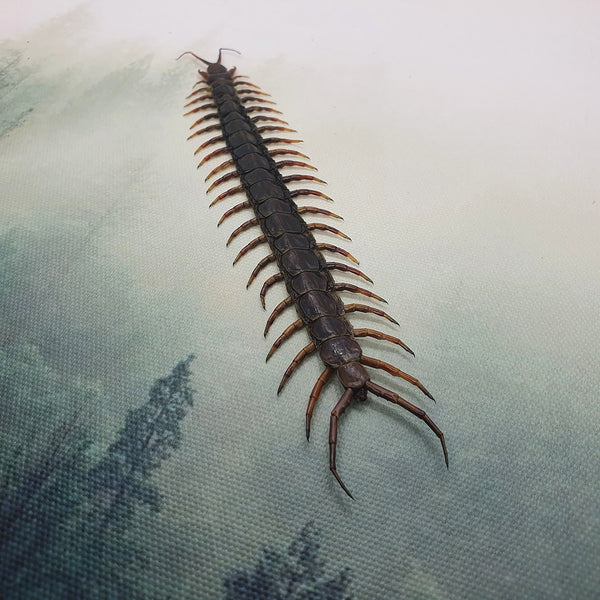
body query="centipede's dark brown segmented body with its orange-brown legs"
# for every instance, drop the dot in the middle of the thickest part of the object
(303, 268)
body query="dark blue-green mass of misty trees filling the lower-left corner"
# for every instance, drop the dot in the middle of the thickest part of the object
(55, 511)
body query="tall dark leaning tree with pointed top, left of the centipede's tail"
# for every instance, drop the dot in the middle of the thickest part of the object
(122, 478)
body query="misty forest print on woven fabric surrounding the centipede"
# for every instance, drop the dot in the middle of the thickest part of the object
(144, 450)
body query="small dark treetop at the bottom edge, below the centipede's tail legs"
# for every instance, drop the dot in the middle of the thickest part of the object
(298, 574)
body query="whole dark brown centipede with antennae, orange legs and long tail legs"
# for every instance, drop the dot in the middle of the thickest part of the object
(242, 131)
